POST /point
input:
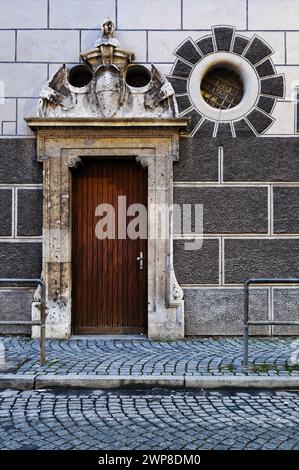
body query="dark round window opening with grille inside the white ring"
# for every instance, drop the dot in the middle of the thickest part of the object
(222, 88)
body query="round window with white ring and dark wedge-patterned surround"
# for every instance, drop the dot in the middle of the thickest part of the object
(226, 81)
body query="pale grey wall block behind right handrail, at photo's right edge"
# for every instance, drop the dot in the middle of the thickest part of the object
(285, 308)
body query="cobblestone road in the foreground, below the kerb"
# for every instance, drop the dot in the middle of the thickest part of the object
(156, 419)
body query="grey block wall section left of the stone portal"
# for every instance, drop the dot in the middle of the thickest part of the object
(20, 226)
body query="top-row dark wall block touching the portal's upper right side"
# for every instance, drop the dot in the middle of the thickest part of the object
(198, 160)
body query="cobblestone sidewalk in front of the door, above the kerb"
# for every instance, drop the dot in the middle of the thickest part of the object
(268, 356)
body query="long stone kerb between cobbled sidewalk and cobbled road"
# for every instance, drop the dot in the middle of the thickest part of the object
(74, 381)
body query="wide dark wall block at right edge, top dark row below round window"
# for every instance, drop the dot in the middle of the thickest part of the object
(262, 159)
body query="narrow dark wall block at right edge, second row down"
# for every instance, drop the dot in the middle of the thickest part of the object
(286, 210)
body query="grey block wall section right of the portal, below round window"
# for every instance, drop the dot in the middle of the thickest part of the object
(249, 188)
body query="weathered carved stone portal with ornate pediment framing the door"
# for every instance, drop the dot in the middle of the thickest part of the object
(107, 117)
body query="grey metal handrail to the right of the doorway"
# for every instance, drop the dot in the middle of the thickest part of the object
(246, 321)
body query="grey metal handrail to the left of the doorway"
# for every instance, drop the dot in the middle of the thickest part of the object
(41, 323)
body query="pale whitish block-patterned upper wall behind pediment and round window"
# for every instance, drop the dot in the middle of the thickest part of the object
(32, 33)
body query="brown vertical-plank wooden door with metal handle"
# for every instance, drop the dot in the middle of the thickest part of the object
(109, 289)
